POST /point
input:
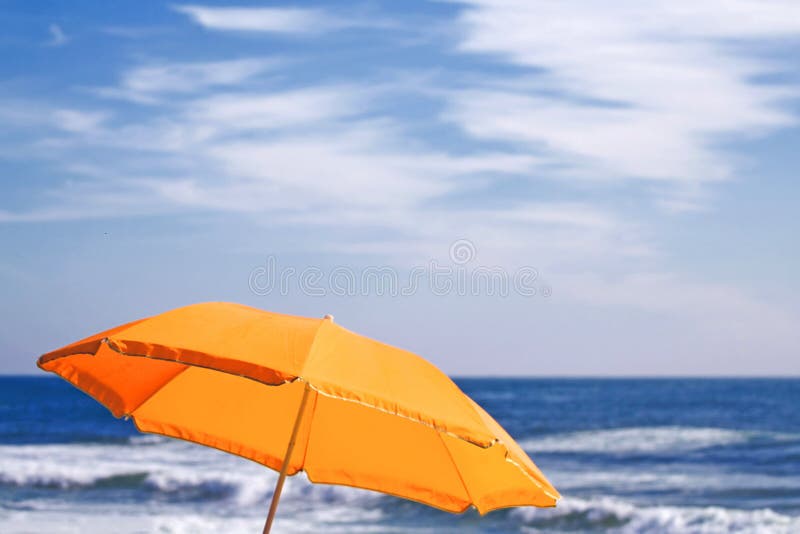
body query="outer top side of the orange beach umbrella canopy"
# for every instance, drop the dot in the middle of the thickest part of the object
(275, 348)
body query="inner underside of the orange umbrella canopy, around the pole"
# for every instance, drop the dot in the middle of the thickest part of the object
(339, 441)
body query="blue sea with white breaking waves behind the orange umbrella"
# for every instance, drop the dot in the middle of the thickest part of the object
(639, 455)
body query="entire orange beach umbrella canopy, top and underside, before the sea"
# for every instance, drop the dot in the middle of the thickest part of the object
(303, 394)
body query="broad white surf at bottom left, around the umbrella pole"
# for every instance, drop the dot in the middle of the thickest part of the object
(171, 466)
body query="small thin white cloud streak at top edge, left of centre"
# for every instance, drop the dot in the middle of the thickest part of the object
(262, 19)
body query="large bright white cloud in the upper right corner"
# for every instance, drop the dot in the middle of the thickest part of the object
(632, 89)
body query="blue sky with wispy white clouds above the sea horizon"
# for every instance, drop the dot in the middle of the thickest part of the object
(510, 187)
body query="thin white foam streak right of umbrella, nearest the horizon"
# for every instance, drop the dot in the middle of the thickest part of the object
(636, 440)
